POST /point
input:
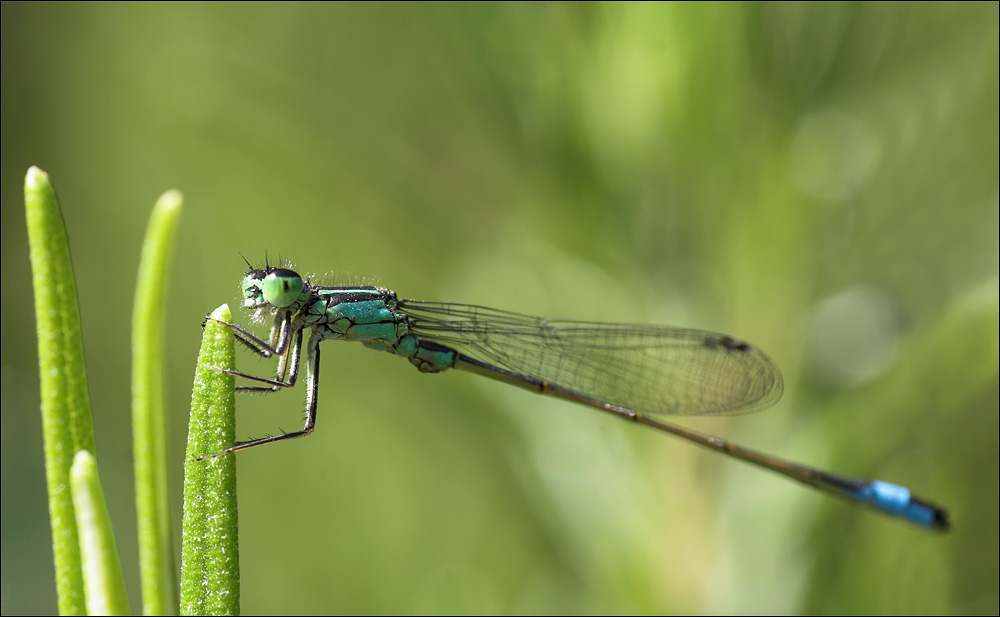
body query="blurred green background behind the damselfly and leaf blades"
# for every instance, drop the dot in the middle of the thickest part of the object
(821, 180)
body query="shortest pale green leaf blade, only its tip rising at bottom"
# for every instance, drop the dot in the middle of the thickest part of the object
(102, 571)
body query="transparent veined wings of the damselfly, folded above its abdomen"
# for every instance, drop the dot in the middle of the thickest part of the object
(653, 369)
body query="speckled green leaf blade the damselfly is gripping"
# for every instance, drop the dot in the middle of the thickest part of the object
(210, 565)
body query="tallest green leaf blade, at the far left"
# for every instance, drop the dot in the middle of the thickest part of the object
(67, 424)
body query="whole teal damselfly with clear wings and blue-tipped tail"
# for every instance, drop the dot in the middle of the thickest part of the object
(639, 373)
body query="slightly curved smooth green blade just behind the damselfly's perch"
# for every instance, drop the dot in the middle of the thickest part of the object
(149, 425)
